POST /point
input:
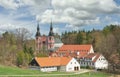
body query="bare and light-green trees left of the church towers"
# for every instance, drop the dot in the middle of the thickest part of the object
(15, 48)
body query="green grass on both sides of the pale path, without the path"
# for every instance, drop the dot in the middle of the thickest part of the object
(5, 70)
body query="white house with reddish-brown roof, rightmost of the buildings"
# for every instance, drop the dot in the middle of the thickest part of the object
(93, 60)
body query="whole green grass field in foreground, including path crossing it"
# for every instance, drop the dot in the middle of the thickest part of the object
(14, 71)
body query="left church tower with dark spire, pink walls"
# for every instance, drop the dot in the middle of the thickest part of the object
(38, 39)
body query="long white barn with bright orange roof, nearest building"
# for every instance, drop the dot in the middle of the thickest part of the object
(46, 64)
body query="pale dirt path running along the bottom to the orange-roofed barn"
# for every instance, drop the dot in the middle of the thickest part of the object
(79, 72)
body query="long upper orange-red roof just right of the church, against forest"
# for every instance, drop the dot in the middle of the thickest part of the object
(80, 48)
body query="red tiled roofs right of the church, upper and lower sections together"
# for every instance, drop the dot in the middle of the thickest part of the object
(71, 50)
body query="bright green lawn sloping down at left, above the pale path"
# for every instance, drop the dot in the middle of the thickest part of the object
(6, 70)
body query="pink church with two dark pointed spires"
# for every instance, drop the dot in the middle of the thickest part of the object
(49, 42)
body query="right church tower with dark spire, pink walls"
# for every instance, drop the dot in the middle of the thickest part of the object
(51, 38)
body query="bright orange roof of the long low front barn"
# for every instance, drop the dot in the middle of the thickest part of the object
(52, 61)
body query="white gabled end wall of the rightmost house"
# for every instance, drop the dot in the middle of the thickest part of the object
(101, 63)
